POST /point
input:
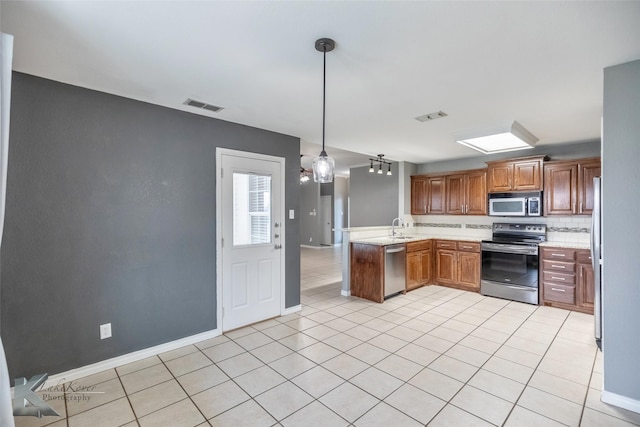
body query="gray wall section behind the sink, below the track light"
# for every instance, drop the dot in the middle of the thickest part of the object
(374, 197)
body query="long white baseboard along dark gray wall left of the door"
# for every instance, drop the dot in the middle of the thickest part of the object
(115, 362)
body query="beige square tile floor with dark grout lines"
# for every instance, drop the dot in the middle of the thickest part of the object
(435, 356)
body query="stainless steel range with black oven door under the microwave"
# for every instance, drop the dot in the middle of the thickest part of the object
(510, 262)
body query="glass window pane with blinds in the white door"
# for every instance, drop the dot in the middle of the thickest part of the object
(251, 209)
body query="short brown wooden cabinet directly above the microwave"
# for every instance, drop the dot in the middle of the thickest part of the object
(520, 174)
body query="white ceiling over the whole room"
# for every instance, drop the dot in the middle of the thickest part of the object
(483, 63)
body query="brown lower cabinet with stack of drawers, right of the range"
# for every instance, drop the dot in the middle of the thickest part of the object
(567, 279)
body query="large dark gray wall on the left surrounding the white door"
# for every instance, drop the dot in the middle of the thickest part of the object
(111, 217)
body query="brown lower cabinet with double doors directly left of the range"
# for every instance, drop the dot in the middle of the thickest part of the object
(457, 264)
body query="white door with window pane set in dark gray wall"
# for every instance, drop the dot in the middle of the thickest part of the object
(252, 231)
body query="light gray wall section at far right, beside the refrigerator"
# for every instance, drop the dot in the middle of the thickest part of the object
(620, 231)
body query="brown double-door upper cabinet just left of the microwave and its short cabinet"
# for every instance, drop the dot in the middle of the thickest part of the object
(467, 193)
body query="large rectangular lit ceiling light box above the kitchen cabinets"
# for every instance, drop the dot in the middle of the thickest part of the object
(510, 137)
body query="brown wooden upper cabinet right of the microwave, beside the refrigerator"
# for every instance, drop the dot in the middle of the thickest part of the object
(568, 186)
